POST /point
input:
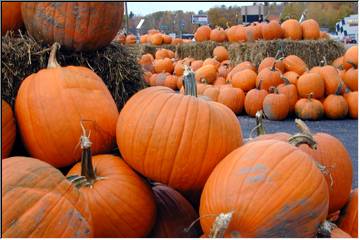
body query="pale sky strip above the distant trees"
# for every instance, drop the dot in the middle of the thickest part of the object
(142, 8)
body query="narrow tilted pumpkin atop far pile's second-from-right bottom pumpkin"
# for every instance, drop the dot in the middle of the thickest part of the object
(332, 80)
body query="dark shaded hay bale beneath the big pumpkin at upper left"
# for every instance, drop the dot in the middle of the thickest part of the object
(22, 56)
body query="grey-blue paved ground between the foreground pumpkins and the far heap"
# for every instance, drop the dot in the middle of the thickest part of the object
(345, 130)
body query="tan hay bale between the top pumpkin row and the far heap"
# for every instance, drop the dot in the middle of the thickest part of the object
(311, 51)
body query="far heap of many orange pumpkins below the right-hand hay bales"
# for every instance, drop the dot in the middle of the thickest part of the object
(280, 87)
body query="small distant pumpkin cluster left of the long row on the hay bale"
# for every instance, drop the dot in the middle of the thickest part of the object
(153, 36)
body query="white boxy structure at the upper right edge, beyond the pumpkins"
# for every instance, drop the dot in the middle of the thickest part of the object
(348, 28)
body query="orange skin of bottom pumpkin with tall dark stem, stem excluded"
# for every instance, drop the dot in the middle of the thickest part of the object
(122, 205)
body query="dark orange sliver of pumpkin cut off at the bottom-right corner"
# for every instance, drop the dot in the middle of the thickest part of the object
(349, 215)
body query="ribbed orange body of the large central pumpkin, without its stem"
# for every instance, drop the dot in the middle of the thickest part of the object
(175, 139)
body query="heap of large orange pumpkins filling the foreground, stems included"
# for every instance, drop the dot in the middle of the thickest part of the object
(270, 186)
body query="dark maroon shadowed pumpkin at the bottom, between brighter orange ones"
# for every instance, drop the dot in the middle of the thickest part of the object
(174, 214)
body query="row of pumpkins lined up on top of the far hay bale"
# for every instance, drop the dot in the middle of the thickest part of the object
(289, 29)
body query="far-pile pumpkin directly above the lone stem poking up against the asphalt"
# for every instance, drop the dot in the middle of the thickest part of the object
(254, 101)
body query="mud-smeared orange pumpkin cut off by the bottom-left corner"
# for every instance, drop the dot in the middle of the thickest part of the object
(37, 201)
